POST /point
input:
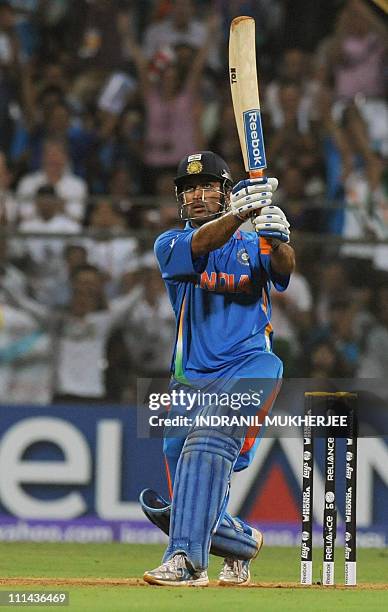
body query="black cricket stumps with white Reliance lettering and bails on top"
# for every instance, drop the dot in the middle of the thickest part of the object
(347, 401)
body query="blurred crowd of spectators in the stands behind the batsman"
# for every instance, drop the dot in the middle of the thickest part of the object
(99, 100)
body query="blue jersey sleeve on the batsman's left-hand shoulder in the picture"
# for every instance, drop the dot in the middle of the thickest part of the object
(173, 252)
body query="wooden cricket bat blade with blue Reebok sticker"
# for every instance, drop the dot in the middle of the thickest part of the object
(245, 94)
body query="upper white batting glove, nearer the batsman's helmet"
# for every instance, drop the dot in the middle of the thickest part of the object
(250, 195)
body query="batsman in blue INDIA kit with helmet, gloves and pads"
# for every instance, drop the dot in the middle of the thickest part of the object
(219, 280)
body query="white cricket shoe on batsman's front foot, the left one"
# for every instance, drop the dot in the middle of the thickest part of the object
(177, 571)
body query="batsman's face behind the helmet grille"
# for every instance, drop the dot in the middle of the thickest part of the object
(201, 200)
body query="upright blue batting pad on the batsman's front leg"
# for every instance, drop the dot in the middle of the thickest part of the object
(201, 487)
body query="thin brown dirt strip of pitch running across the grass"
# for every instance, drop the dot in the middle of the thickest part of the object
(93, 582)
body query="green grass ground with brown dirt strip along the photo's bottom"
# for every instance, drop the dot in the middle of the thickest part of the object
(107, 578)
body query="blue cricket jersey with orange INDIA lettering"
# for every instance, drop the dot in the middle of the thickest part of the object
(221, 302)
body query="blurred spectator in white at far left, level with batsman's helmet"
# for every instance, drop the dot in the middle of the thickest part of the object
(55, 172)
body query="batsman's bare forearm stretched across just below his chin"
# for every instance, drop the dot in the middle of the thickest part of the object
(214, 234)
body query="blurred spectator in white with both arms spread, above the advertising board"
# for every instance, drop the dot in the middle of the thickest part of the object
(80, 333)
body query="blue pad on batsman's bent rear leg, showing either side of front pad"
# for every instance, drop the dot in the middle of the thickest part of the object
(232, 538)
